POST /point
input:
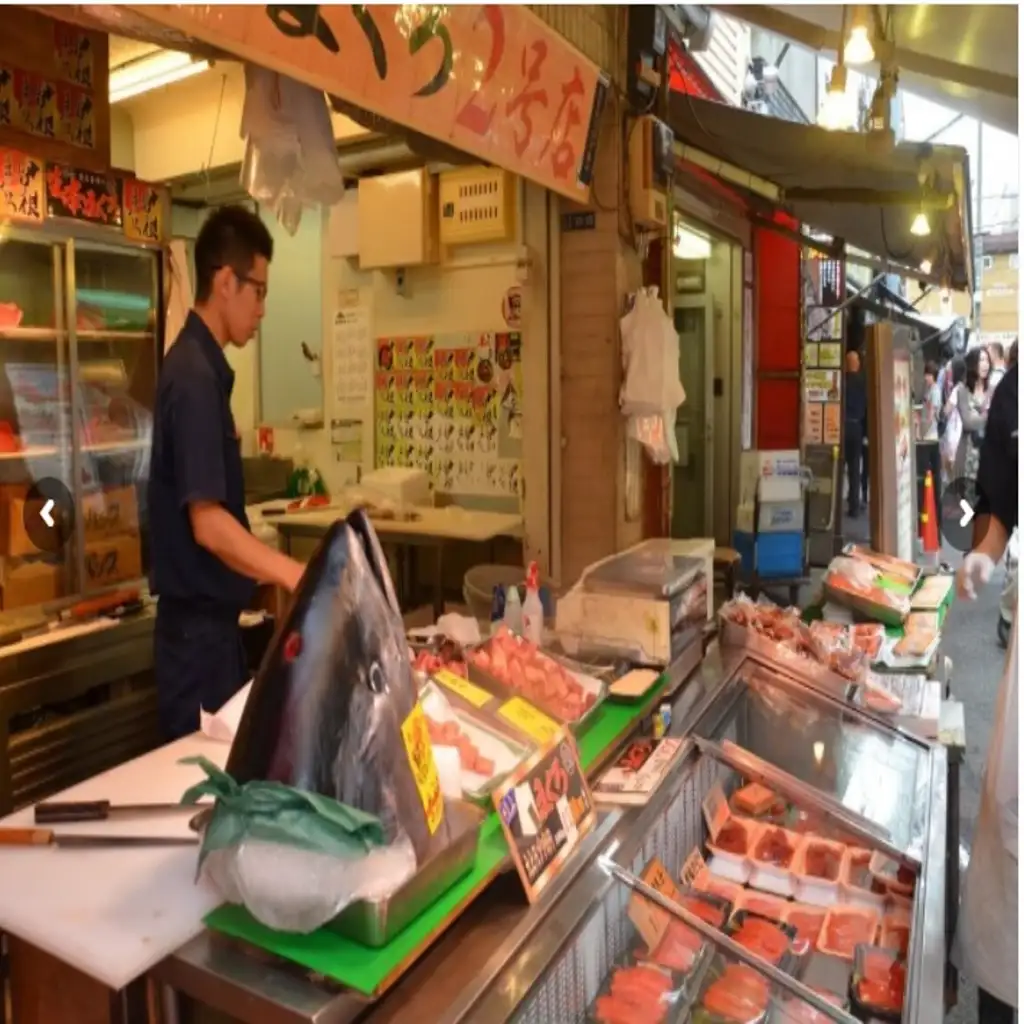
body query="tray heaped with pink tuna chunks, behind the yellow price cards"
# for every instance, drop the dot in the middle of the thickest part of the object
(509, 666)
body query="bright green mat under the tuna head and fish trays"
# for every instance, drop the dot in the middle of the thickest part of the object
(366, 970)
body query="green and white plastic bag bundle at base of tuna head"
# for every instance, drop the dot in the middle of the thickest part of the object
(295, 861)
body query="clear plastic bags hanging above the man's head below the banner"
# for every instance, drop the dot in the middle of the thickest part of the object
(290, 159)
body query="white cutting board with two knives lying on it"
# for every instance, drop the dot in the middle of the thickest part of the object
(113, 914)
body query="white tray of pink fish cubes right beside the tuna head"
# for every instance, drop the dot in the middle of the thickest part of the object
(486, 756)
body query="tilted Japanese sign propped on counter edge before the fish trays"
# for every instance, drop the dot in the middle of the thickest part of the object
(545, 808)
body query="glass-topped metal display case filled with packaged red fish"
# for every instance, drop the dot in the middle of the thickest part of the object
(847, 893)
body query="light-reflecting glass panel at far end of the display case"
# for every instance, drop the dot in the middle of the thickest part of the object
(881, 776)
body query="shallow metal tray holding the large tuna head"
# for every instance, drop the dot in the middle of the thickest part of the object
(376, 923)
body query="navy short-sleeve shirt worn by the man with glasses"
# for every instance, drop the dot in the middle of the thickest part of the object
(197, 457)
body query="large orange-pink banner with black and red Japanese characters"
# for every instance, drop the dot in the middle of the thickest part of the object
(490, 79)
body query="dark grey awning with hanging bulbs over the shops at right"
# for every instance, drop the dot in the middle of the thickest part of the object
(841, 184)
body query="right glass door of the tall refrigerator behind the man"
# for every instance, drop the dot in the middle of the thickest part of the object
(114, 313)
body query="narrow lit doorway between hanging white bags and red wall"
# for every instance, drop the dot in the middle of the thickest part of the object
(707, 288)
